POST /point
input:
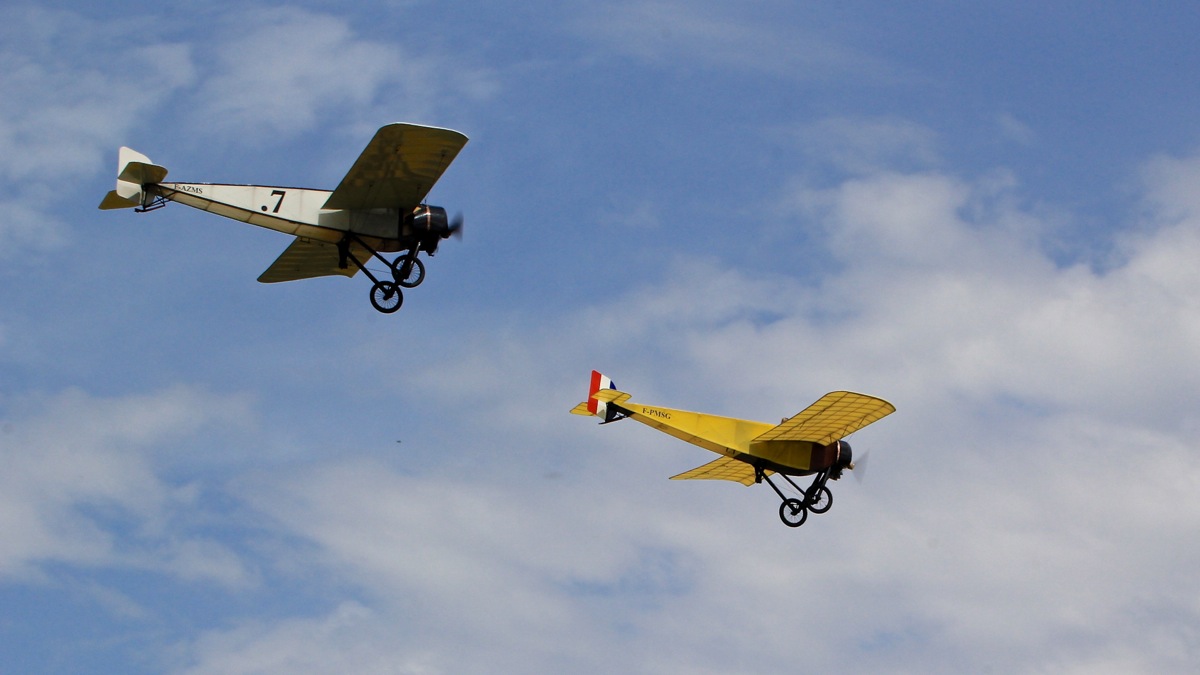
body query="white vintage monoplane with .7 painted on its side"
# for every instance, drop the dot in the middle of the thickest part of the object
(380, 207)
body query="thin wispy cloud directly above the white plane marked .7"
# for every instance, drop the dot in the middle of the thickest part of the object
(280, 73)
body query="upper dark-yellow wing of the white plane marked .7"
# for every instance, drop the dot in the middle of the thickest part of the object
(398, 169)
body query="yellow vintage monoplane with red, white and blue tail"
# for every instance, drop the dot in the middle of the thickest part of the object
(811, 444)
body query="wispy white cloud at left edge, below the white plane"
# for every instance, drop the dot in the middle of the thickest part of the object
(82, 485)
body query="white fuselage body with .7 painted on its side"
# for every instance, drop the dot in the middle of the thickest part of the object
(293, 211)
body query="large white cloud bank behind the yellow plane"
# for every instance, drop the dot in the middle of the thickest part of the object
(1029, 509)
